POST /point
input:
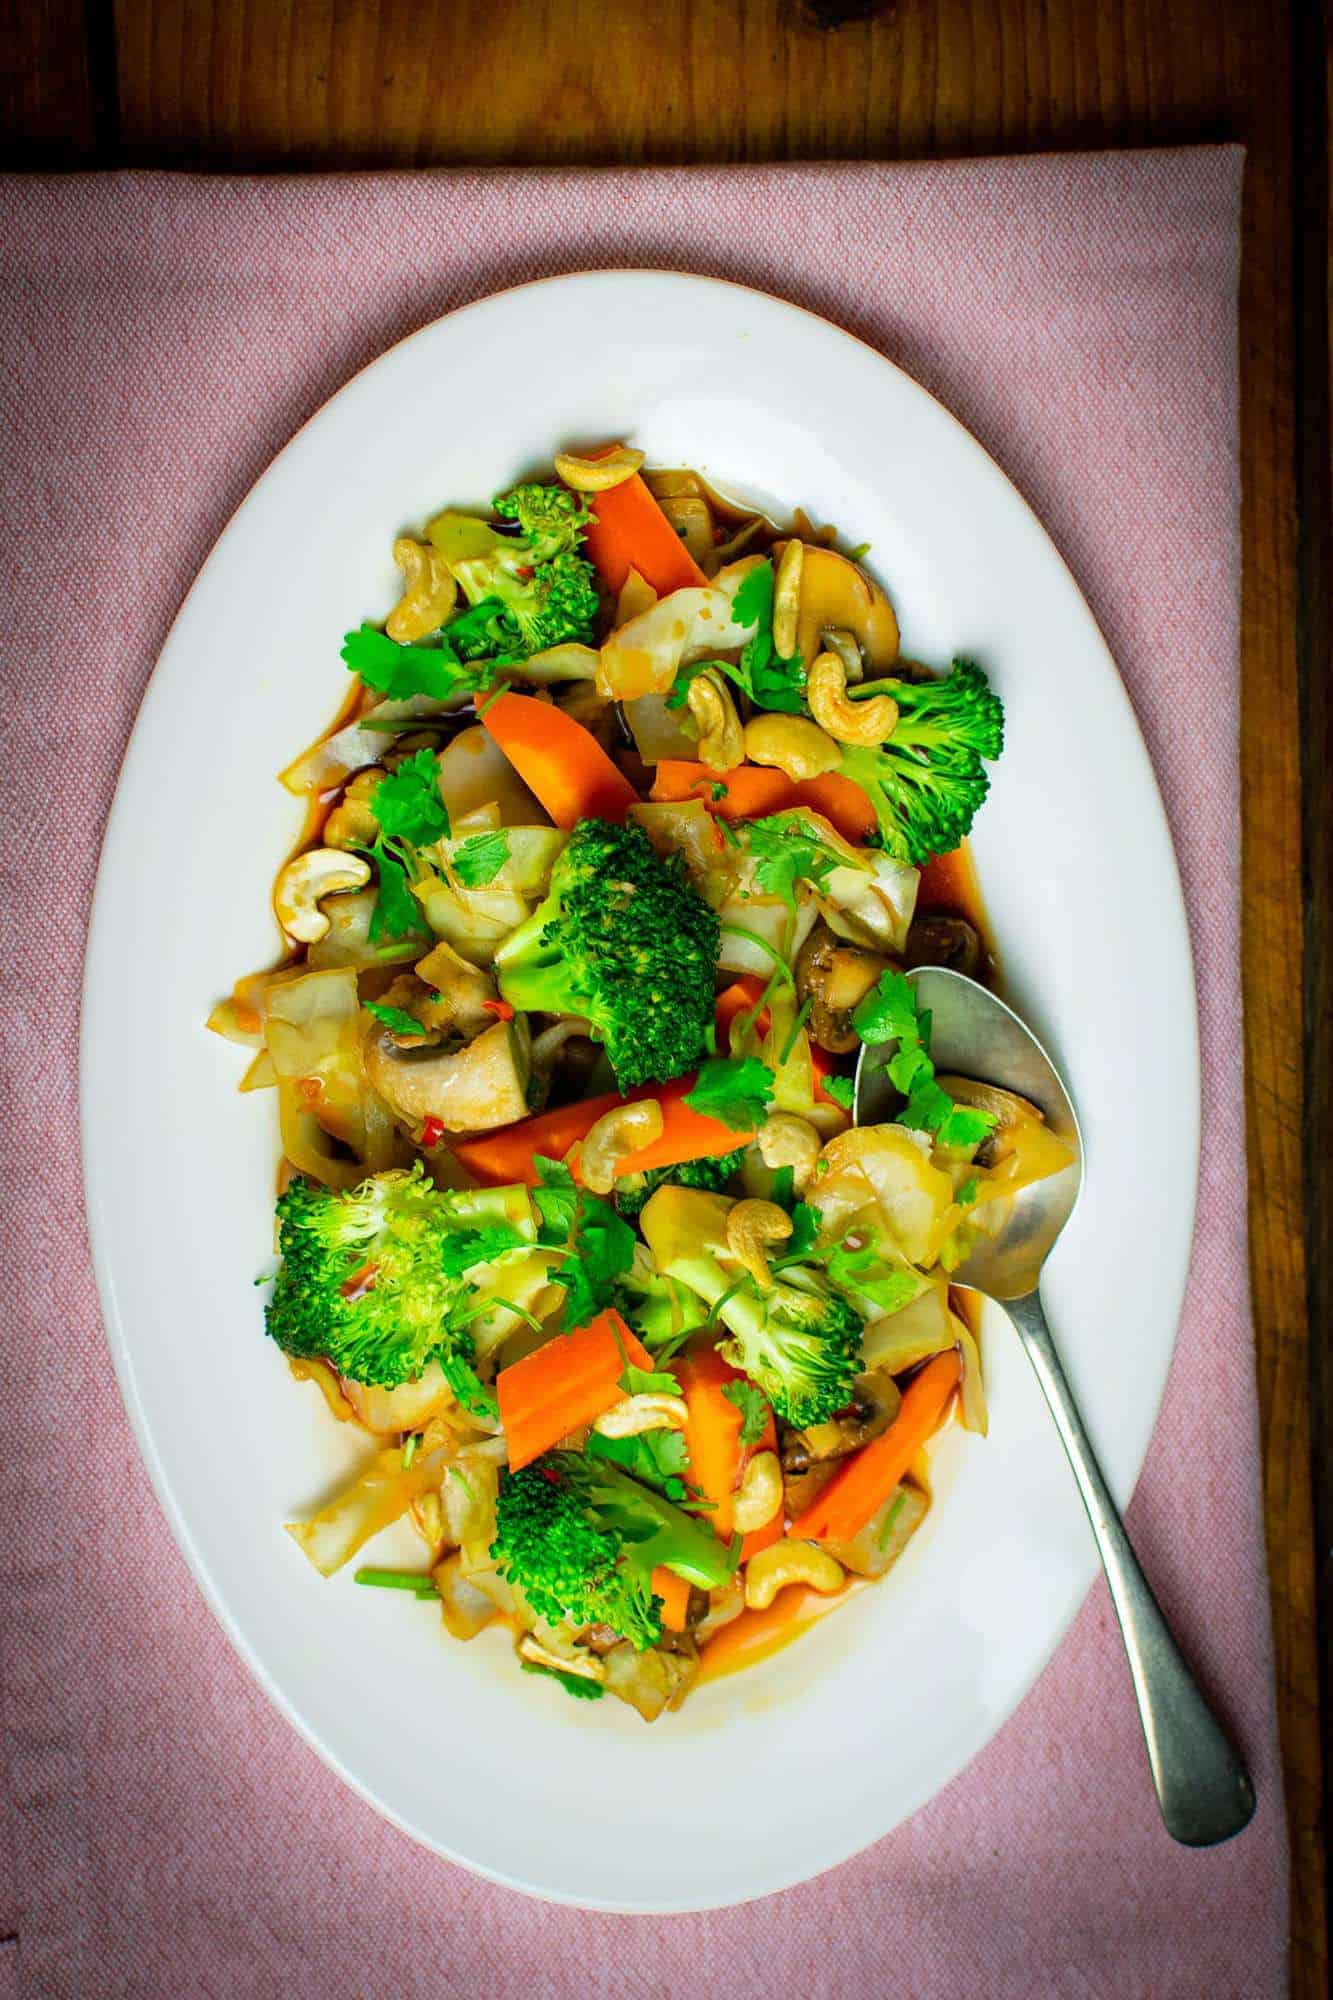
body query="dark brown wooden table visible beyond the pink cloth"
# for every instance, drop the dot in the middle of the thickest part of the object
(403, 83)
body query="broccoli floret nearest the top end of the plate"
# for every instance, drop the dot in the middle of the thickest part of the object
(527, 591)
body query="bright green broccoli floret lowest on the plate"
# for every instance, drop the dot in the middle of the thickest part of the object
(581, 1539)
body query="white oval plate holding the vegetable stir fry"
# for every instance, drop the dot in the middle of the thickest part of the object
(776, 1775)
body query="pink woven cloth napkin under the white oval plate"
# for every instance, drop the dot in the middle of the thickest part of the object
(161, 339)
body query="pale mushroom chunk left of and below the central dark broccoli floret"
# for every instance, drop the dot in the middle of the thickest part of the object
(469, 1089)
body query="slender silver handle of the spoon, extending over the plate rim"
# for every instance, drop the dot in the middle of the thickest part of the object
(1202, 1787)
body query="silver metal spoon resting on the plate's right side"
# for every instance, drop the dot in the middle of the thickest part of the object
(1202, 1787)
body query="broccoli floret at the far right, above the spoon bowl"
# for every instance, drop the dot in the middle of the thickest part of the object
(930, 781)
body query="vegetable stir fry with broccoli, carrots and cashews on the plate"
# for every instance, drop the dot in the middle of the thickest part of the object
(619, 853)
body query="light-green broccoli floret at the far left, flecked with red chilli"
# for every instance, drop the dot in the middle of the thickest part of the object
(383, 1279)
